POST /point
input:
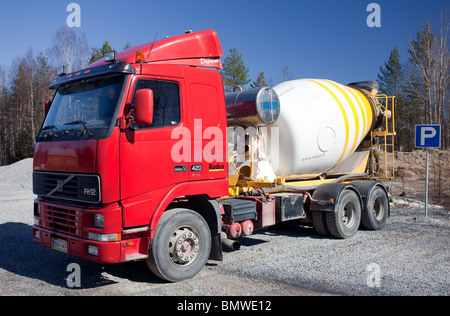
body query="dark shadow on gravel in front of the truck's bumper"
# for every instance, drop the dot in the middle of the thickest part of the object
(20, 255)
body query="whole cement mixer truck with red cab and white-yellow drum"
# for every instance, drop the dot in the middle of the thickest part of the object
(143, 156)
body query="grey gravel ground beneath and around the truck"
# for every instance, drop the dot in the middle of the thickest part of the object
(410, 256)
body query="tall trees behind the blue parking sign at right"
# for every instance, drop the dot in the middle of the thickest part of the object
(421, 84)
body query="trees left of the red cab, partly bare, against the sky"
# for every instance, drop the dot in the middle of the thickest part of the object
(24, 89)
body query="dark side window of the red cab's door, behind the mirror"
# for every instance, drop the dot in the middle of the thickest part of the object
(166, 103)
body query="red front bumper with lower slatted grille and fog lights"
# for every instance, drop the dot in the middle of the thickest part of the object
(78, 224)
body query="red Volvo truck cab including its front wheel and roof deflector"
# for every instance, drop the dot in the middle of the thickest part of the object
(135, 136)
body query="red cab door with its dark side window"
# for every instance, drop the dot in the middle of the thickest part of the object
(146, 164)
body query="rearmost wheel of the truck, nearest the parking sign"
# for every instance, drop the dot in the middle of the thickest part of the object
(374, 216)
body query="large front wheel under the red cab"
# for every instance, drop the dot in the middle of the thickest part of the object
(181, 246)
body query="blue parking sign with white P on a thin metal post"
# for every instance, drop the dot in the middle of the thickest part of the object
(428, 136)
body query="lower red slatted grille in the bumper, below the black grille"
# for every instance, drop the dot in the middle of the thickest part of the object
(67, 220)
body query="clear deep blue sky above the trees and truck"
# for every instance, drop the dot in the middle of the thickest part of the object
(314, 39)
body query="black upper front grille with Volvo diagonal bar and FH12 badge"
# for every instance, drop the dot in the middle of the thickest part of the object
(66, 186)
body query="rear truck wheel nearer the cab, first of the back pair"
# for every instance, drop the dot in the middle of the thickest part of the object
(344, 222)
